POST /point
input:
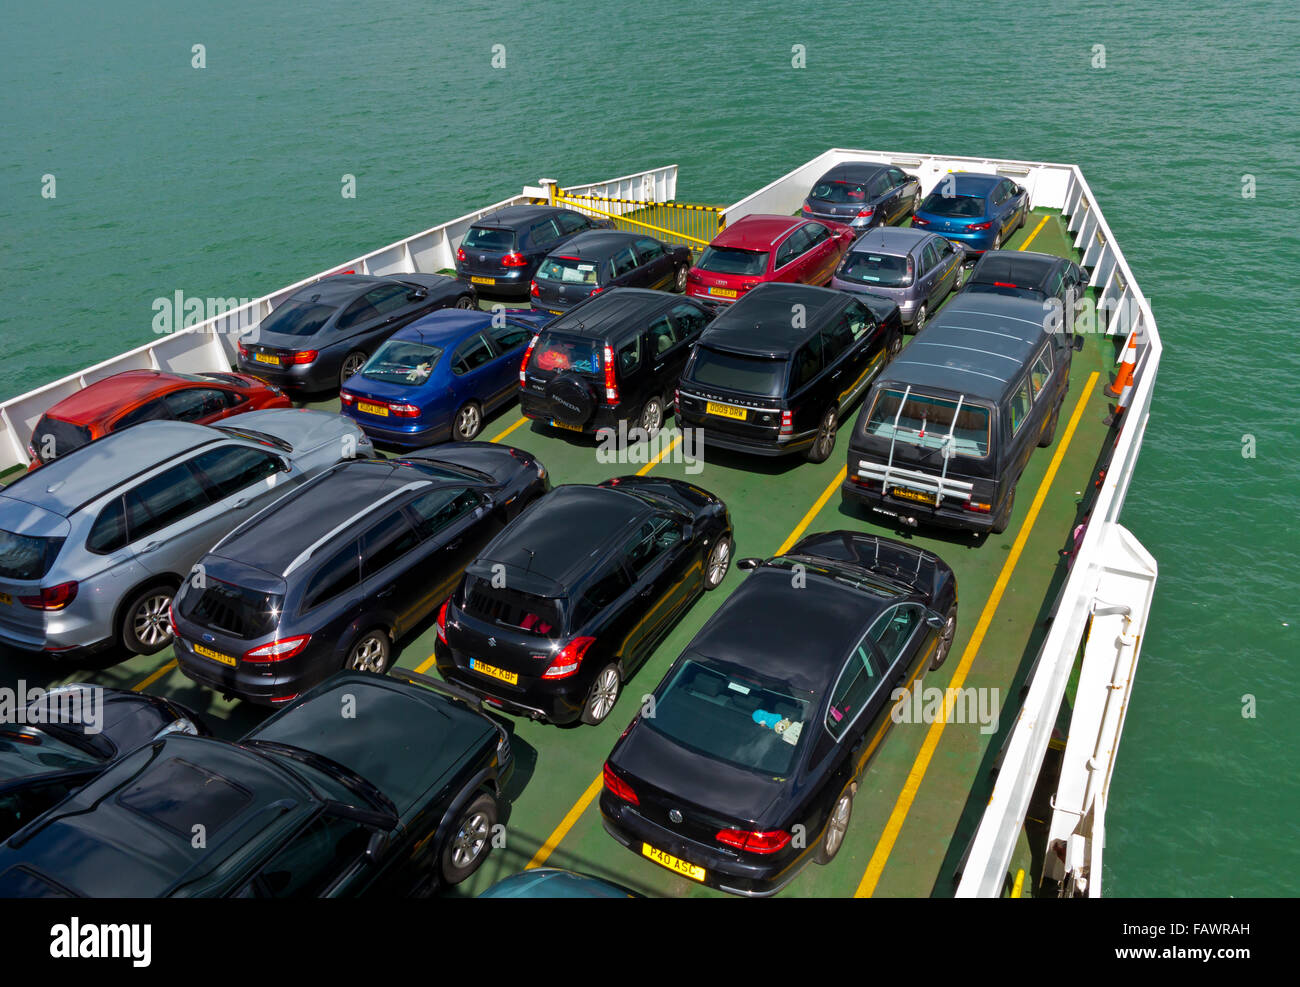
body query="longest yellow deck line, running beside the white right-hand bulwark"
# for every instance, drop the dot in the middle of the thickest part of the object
(885, 847)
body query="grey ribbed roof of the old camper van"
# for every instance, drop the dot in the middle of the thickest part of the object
(977, 347)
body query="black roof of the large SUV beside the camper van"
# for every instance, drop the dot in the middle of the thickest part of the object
(760, 323)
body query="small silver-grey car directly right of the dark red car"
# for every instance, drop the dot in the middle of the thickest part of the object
(912, 269)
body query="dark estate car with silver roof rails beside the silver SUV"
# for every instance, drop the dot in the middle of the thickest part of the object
(331, 575)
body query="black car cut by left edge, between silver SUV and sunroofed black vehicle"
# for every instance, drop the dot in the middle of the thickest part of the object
(68, 735)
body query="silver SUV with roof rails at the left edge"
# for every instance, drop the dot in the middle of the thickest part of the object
(94, 544)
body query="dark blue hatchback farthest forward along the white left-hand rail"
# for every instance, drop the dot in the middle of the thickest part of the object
(501, 253)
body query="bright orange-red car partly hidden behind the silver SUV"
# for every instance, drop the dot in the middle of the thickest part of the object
(132, 397)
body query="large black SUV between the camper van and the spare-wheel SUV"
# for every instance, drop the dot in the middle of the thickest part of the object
(778, 370)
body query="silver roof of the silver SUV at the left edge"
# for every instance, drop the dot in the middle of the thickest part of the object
(70, 482)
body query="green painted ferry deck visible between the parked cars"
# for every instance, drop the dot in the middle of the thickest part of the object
(925, 790)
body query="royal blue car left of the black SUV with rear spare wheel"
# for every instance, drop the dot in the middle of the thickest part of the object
(441, 378)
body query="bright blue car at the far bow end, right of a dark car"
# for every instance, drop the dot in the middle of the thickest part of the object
(978, 211)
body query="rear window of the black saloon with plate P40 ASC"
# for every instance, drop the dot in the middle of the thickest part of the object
(734, 716)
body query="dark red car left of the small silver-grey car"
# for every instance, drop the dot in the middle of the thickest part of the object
(760, 249)
